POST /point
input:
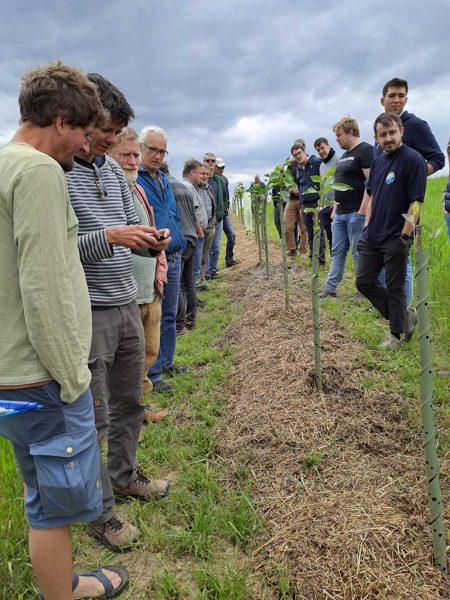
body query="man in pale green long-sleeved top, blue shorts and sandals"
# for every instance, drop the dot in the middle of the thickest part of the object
(46, 327)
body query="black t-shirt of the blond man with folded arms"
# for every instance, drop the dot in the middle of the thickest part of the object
(349, 170)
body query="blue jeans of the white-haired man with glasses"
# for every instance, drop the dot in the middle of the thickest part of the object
(168, 320)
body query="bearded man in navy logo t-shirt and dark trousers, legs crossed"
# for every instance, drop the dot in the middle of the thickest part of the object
(397, 180)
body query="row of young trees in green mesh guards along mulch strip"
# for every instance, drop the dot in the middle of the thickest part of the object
(281, 178)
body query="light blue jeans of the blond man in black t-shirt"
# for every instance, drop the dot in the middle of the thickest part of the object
(346, 231)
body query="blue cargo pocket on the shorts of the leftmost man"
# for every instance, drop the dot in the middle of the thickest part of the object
(68, 473)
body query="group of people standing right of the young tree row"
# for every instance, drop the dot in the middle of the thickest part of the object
(383, 182)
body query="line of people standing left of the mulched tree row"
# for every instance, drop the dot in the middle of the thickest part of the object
(103, 253)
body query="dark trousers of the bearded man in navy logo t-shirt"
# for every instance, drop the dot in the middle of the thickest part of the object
(389, 300)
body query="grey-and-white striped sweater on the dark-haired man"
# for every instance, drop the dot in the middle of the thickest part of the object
(101, 199)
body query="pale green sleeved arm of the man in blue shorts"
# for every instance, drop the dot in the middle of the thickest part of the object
(43, 221)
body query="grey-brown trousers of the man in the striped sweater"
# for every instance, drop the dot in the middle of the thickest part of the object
(116, 362)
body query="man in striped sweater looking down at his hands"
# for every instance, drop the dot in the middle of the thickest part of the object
(109, 229)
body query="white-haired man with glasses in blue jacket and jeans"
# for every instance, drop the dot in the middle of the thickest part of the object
(153, 141)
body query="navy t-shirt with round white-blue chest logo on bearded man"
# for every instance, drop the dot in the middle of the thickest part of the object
(394, 182)
